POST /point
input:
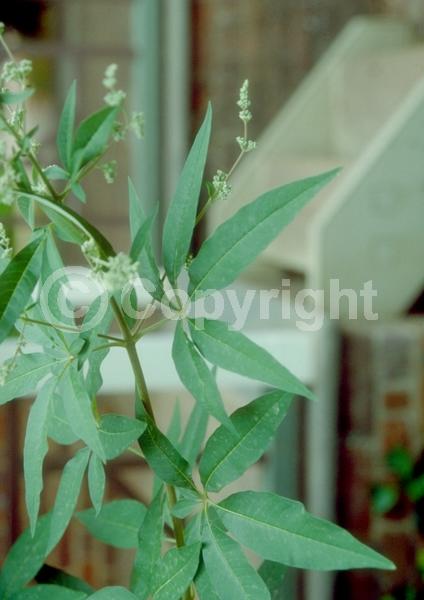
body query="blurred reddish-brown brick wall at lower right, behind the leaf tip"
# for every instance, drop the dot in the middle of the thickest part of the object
(381, 408)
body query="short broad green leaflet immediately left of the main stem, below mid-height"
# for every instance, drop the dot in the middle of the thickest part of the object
(117, 433)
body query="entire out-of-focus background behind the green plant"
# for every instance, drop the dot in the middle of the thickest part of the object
(332, 84)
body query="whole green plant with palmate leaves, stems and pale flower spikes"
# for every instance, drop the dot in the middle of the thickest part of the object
(202, 537)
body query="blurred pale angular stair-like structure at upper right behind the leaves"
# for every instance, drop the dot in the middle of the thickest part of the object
(362, 109)
